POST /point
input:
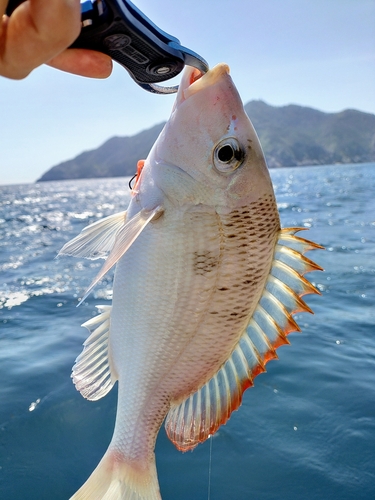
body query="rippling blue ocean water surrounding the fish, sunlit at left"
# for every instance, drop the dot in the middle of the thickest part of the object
(306, 430)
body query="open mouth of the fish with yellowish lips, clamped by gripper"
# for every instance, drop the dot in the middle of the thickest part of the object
(194, 80)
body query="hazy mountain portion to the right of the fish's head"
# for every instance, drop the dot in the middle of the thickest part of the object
(295, 135)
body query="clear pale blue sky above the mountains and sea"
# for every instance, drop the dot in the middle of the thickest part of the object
(319, 54)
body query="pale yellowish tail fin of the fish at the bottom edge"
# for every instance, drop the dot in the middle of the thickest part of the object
(114, 479)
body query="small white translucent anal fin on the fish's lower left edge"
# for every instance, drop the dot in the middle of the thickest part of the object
(92, 373)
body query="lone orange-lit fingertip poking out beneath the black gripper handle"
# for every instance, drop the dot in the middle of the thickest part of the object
(83, 62)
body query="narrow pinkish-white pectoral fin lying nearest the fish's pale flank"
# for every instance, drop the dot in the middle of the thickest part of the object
(125, 237)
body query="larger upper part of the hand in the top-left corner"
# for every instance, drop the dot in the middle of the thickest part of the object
(36, 32)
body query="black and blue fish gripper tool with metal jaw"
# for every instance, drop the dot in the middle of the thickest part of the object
(120, 30)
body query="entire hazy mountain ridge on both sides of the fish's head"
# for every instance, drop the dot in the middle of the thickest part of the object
(290, 136)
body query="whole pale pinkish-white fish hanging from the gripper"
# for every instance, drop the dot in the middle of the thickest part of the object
(205, 287)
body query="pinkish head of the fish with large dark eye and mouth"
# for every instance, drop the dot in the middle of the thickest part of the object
(211, 139)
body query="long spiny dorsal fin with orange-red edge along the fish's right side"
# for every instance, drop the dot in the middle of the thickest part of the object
(201, 414)
